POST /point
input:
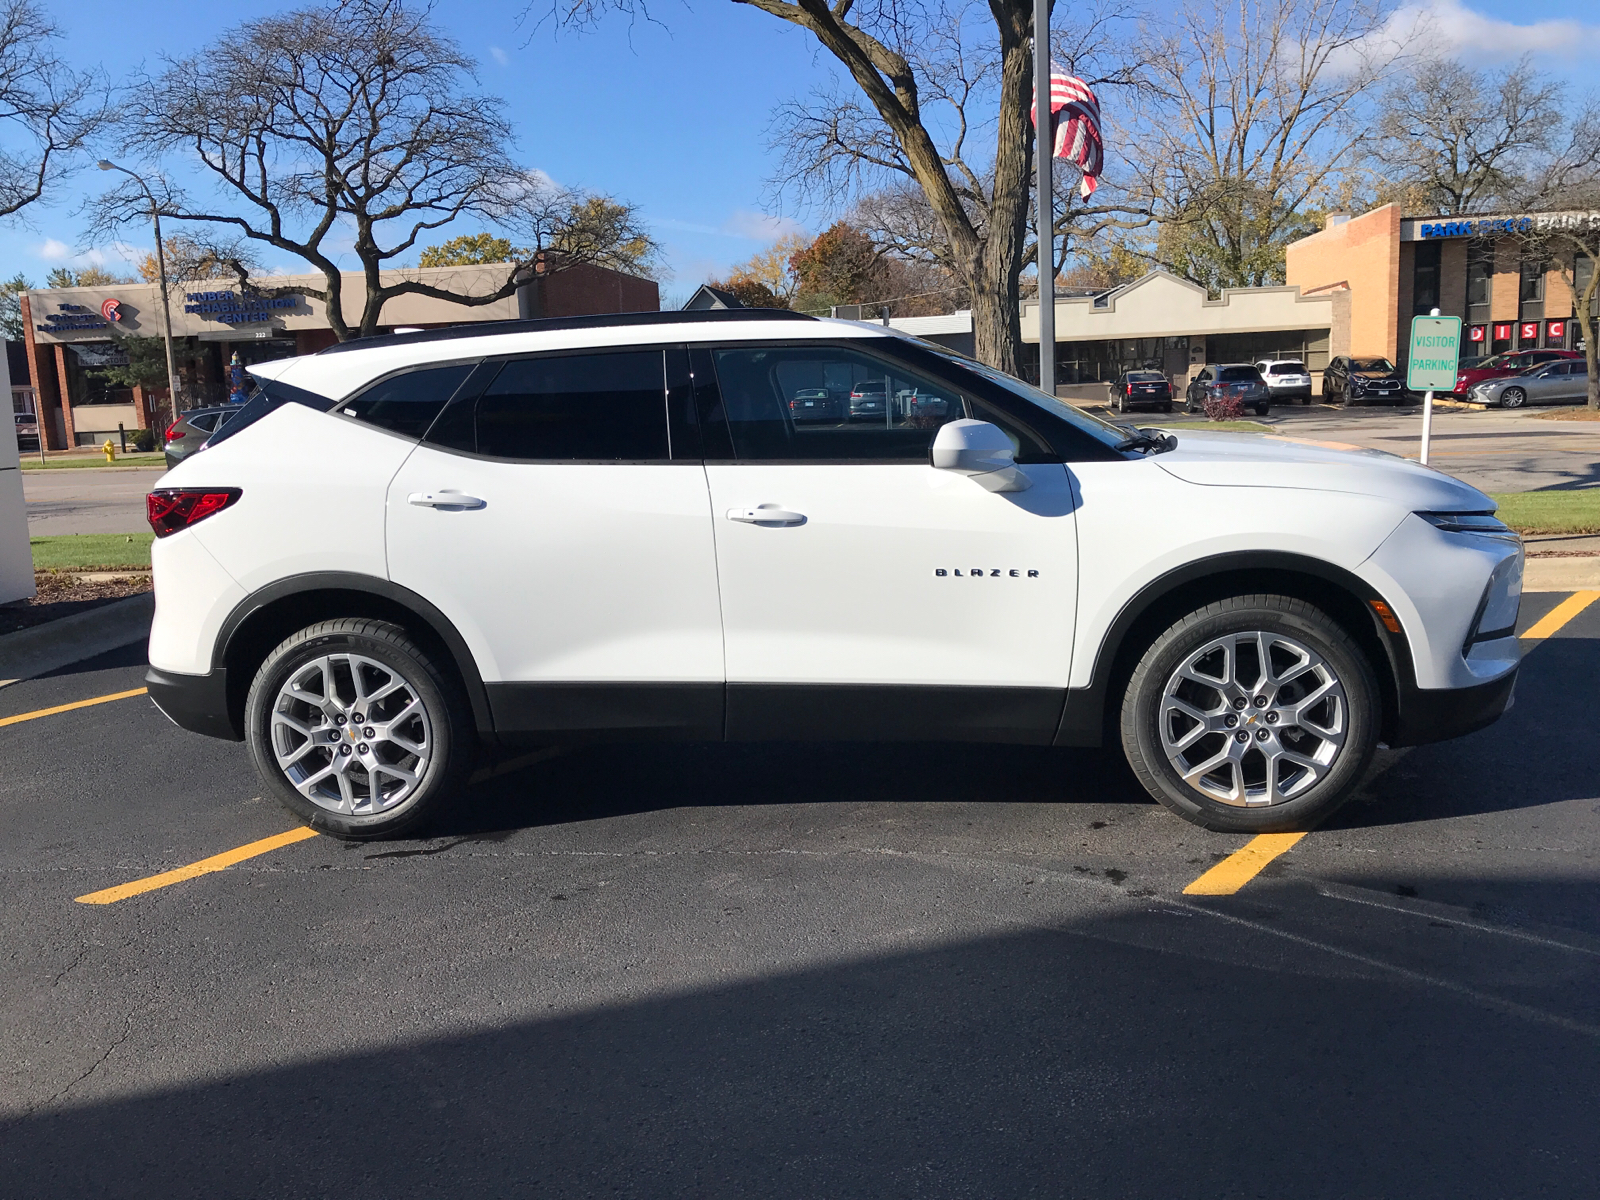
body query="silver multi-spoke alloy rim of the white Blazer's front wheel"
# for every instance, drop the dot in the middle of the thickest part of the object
(1254, 719)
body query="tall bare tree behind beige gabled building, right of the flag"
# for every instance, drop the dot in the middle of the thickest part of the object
(1258, 122)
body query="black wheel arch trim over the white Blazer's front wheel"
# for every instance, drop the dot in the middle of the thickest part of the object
(1086, 714)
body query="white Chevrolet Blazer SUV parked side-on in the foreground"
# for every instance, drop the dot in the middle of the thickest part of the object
(410, 548)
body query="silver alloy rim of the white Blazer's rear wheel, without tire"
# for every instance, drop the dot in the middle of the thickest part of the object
(351, 735)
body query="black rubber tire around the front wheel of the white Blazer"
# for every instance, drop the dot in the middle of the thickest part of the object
(1286, 617)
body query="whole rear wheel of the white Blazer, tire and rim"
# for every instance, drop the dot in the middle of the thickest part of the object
(356, 730)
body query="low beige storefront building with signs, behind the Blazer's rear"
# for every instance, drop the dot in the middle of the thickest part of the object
(74, 334)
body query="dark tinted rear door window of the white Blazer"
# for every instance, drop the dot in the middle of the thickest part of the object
(583, 407)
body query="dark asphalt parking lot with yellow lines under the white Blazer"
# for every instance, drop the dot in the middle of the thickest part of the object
(801, 972)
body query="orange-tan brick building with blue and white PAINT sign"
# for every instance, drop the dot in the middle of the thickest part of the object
(1479, 270)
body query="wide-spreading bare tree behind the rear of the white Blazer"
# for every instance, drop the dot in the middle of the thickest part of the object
(351, 121)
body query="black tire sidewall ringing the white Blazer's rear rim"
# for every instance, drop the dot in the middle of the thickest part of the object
(444, 716)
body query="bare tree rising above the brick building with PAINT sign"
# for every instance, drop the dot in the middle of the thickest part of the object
(1455, 142)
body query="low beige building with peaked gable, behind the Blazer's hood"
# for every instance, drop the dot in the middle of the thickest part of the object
(1164, 322)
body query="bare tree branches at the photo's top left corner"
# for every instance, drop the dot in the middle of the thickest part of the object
(49, 108)
